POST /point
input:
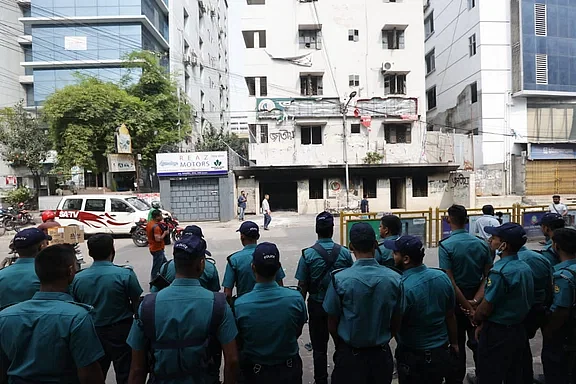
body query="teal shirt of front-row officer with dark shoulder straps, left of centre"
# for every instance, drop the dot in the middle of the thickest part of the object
(183, 311)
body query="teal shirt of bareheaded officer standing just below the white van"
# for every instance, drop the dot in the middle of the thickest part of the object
(108, 288)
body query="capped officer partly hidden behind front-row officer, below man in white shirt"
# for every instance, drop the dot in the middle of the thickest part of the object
(239, 268)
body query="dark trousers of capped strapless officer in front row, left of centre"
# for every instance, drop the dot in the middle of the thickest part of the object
(289, 372)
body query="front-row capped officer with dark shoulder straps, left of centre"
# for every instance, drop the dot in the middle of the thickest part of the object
(179, 321)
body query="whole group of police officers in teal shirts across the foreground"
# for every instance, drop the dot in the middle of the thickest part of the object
(58, 325)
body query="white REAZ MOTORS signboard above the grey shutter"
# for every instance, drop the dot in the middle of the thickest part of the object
(192, 164)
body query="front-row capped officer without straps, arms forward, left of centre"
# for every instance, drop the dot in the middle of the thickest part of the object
(270, 320)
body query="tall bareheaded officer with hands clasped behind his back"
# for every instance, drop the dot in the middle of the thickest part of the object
(467, 260)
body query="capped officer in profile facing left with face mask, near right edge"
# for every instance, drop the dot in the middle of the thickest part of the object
(509, 295)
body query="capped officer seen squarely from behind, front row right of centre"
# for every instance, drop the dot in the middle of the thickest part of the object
(363, 306)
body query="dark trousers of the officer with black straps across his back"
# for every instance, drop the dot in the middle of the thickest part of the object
(319, 337)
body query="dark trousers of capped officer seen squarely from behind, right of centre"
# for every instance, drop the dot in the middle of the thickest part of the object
(362, 365)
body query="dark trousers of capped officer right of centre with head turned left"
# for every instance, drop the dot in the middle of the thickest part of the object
(425, 366)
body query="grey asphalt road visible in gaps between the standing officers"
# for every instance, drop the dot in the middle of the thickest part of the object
(289, 232)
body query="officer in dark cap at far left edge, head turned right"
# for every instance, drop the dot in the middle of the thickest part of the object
(19, 282)
